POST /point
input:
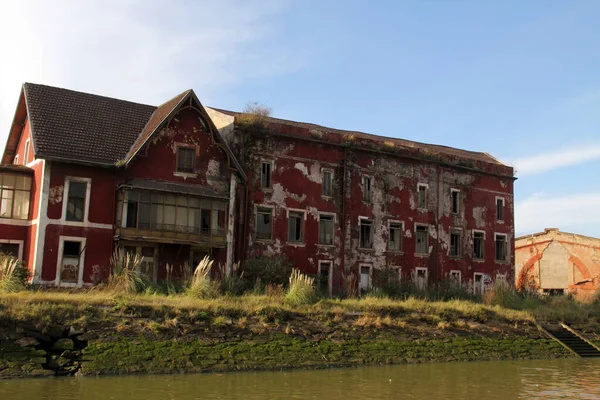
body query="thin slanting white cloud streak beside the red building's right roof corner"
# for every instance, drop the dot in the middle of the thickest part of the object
(540, 163)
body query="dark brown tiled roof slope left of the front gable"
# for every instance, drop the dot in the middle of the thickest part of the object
(83, 127)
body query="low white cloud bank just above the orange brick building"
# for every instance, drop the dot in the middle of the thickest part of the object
(579, 213)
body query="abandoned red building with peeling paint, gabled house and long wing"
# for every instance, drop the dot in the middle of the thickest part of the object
(84, 174)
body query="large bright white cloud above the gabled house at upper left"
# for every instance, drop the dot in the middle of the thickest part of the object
(140, 50)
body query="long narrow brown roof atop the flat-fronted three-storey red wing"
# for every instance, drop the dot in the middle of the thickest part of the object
(430, 148)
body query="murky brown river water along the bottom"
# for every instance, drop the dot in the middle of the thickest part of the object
(545, 379)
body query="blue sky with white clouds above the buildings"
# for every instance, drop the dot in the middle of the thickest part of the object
(516, 79)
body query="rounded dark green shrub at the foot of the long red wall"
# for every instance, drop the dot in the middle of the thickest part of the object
(262, 271)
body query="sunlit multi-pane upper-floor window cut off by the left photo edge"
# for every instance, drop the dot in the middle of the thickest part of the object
(15, 192)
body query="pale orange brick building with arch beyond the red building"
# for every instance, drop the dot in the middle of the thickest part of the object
(556, 262)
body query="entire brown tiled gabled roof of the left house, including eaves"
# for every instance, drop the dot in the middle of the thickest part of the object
(86, 128)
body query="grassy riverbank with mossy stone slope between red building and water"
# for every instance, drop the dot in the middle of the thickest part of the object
(116, 334)
